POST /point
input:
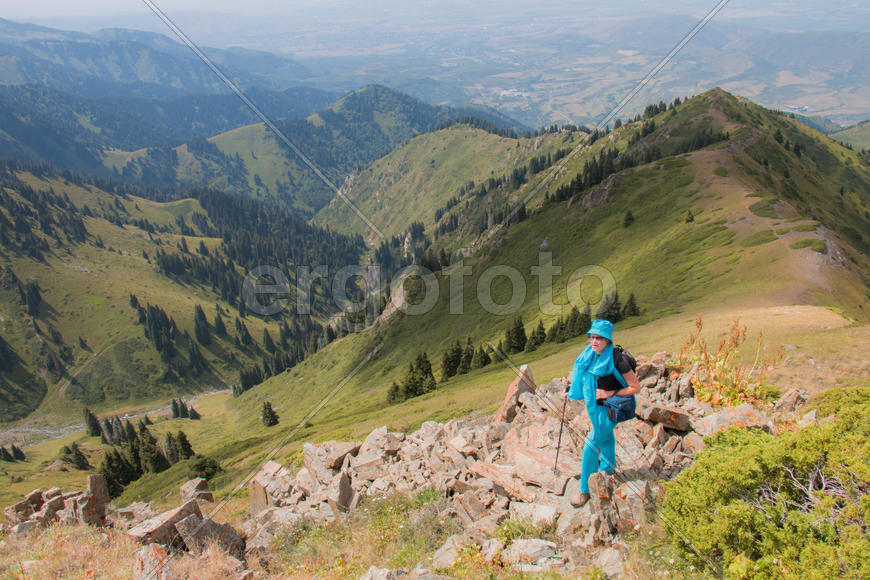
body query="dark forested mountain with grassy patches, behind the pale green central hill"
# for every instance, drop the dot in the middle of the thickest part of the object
(349, 134)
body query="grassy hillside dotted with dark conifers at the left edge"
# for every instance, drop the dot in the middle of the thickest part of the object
(101, 289)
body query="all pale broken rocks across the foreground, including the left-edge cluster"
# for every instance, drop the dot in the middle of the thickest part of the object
(490, 469)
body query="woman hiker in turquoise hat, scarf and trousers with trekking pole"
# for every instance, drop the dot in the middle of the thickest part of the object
(595, 376)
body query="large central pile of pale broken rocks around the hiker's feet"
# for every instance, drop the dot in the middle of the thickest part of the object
(502, 467)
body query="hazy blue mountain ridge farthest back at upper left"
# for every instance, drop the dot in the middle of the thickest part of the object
(117, 62)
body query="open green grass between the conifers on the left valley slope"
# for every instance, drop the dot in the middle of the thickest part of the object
(86, 293)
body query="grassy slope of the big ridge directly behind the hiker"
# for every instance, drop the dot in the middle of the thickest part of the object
(813, 302)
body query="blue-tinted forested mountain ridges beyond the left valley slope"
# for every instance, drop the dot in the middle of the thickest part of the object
(216, 140)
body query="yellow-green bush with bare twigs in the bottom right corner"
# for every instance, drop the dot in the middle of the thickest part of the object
(796, 505)
